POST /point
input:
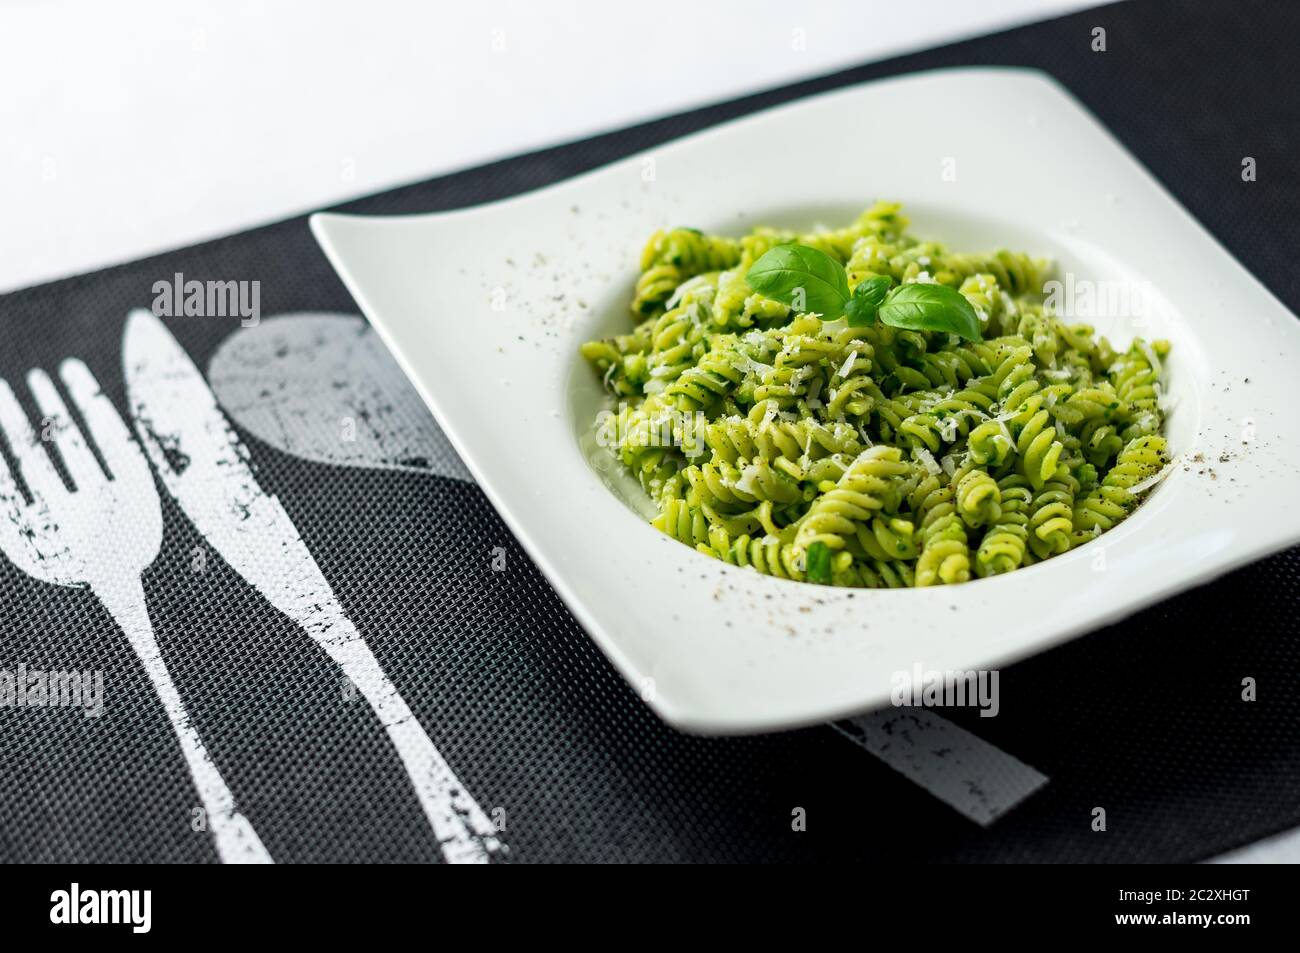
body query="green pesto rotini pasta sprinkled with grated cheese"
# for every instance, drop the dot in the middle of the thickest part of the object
(873, 456)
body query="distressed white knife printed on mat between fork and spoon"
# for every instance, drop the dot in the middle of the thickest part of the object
(207, 470)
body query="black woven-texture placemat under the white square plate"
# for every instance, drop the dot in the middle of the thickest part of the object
(1143, 718)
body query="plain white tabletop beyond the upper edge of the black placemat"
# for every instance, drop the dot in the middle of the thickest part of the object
(133, 128)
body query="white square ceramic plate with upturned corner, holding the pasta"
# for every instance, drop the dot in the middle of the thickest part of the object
(486, 310)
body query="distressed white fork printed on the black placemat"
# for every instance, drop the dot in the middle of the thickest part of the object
(102, 536)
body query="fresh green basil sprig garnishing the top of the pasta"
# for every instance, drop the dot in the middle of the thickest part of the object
(812, 281)
